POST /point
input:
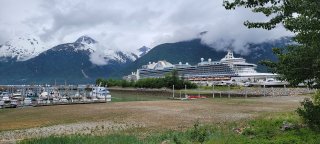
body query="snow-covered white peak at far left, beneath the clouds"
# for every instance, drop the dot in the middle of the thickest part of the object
(21, 48)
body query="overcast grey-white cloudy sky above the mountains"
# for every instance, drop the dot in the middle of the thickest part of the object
(130, 24)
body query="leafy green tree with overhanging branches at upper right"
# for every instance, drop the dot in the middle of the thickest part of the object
(301, 61)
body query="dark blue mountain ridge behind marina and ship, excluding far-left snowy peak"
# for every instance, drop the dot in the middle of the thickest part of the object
(71, 62)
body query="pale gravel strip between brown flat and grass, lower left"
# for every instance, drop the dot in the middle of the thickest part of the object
(95, 128)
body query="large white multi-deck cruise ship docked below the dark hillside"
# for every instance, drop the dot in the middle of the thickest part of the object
(227, 68)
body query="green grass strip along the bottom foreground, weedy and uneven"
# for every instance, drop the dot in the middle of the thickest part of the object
(265, 129)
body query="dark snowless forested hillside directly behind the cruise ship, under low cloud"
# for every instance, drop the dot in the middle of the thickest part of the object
(192, 51)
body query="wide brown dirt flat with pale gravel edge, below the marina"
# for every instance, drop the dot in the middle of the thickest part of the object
(147, 115)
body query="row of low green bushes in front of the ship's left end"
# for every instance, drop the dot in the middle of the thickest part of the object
(168, 81)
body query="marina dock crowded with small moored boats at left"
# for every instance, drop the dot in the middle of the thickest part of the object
(45, 95)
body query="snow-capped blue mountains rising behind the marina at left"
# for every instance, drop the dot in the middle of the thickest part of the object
(81, 61)
